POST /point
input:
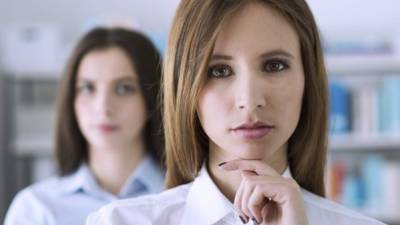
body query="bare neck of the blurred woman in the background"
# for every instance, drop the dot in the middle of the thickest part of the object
(112, 167)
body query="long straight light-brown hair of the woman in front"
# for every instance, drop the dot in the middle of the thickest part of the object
(192, 37)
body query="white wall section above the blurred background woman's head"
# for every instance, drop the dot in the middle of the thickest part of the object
(71, 15)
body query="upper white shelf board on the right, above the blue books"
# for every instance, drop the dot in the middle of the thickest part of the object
(343, 65)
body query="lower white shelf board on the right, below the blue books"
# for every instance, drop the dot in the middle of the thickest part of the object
(343, 143)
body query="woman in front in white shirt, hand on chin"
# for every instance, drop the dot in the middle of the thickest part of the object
(245, 110)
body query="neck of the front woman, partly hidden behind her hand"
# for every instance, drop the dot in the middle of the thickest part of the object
(228, 181)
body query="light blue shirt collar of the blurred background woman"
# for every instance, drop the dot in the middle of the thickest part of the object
(146, 178)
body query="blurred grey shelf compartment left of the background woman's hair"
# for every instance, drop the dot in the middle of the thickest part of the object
(33, 108)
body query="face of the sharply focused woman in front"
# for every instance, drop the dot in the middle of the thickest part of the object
(251, 103)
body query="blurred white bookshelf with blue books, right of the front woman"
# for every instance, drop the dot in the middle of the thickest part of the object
(371, 152)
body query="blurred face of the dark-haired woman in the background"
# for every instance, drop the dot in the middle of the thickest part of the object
(109, 104)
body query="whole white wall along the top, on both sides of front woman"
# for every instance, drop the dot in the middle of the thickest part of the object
(333, 16)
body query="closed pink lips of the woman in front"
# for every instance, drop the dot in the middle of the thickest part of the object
(252, 131)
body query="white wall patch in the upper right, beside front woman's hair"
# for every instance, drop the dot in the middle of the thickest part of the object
(381, 17)
